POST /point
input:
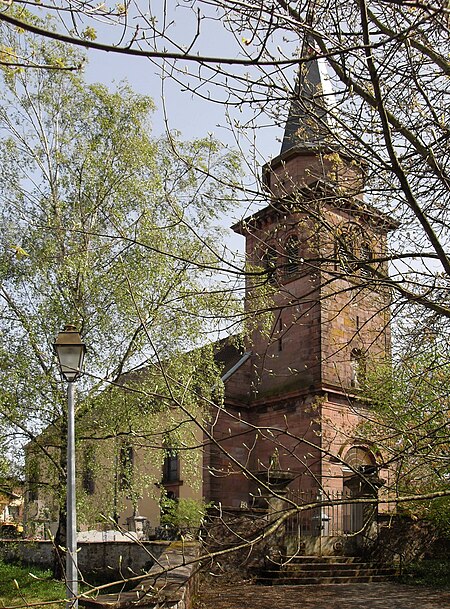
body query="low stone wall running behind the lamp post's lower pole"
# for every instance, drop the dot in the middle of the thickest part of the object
(115, 558)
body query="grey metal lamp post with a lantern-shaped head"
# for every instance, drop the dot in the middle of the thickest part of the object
(70, 353)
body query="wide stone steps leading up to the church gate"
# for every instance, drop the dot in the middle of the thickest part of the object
(314, 570)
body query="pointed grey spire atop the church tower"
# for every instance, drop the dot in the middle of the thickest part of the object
(309, 122)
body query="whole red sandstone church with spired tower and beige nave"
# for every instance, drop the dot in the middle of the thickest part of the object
(318, 315)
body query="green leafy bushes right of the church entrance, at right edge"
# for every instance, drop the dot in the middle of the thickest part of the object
(409, 422)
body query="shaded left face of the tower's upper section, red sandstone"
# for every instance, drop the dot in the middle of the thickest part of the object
(287, 353)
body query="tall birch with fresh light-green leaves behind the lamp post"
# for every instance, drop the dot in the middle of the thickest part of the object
(111, 229)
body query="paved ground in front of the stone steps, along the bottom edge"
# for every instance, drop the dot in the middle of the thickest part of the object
(352, 596)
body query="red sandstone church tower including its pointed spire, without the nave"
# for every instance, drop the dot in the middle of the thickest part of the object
(315, 256)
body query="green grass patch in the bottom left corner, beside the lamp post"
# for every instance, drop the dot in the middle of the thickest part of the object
(20, 585)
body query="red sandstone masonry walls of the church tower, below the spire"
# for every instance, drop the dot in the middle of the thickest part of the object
(279, 402)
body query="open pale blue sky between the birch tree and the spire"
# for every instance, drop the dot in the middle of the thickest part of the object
(178, 108)
